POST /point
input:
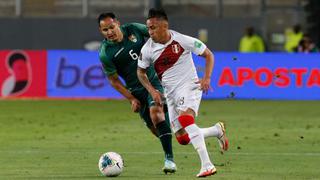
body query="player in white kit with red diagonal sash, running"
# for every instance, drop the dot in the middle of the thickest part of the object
(170, 53)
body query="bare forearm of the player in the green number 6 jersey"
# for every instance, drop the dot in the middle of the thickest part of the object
(117, 84)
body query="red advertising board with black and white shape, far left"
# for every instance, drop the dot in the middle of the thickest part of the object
(22, 73)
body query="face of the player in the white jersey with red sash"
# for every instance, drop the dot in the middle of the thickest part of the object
(157, 29)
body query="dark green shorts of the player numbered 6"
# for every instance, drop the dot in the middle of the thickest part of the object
(146, 101)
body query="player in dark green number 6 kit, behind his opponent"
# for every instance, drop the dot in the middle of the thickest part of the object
(118, 54)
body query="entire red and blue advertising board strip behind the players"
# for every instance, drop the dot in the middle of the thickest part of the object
(78, 74)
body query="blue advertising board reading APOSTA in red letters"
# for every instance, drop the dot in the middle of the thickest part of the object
(264, 76)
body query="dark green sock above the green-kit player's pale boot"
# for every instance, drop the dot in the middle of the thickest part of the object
(165, 137)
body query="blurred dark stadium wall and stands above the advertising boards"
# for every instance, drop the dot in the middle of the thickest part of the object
(70, 24)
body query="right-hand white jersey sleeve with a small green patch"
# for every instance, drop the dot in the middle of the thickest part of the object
(193, 44)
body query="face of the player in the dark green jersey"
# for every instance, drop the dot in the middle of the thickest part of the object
(110, 29)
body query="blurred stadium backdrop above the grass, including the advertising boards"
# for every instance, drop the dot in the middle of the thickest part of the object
(53, 36)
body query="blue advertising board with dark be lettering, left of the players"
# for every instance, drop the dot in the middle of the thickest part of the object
(77, 74)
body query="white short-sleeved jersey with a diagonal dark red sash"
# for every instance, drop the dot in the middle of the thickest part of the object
(172, 61)
